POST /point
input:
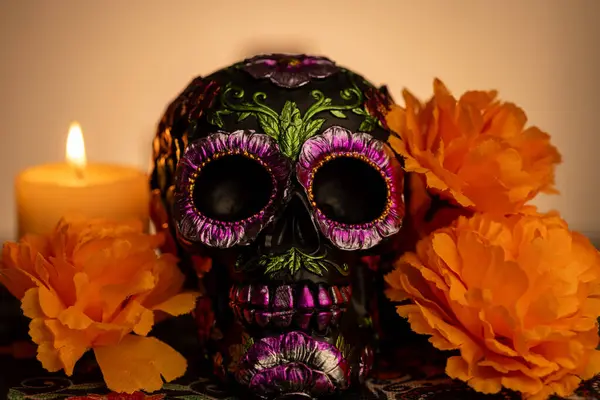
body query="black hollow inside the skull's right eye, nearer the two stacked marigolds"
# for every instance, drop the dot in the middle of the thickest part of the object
(349, 190)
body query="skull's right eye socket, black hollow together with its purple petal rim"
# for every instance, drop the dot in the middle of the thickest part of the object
(355, 184)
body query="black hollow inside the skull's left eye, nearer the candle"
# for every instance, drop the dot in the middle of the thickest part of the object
(232, 188)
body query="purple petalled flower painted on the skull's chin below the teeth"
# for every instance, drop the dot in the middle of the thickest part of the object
(293, 363)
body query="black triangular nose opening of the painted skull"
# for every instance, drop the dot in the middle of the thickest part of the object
(294, 229)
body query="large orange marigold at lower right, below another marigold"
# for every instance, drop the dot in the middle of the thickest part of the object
(518, 296)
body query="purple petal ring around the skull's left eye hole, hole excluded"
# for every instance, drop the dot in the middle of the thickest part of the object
(195, 227)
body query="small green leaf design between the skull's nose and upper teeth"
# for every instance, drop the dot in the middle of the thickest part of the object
(292, 261)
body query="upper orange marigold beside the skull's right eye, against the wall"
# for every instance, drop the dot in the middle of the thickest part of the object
(475, 150)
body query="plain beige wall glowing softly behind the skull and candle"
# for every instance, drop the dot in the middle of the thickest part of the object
(114, 64)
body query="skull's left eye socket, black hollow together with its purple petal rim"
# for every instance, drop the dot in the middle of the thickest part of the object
(228, 187)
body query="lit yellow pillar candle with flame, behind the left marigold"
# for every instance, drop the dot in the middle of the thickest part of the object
(49, 192)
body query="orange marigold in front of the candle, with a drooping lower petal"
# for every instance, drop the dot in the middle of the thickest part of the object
(90, 284)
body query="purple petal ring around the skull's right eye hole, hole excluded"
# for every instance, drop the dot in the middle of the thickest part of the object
(340, 142)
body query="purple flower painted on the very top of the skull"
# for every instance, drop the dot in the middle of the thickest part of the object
(289, 71)
